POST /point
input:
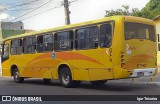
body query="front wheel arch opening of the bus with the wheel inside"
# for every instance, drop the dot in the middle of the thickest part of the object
(15, 74)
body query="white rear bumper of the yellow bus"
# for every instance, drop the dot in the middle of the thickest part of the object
(143, 72)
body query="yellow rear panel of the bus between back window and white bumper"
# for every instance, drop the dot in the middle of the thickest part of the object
(140, 54)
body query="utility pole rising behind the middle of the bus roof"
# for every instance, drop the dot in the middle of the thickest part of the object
(67, 12)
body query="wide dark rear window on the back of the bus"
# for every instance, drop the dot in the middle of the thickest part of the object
(139, 31)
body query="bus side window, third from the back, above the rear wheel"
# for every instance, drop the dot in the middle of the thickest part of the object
(64, 41)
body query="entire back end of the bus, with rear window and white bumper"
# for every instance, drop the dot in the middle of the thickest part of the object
(140, 48)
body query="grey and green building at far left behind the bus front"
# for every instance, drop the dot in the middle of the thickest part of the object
(10, 28)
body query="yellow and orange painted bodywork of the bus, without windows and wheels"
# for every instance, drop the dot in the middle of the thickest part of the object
(90, 64)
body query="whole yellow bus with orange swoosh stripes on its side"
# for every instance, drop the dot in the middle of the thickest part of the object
(110, 48)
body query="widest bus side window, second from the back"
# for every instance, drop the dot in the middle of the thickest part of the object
(87, 38)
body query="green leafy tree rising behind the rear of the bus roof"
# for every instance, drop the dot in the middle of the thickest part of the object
(151, 10)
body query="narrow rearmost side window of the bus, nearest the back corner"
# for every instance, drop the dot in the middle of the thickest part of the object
(105, 35)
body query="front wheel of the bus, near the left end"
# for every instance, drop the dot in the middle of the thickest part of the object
(17, 77)
